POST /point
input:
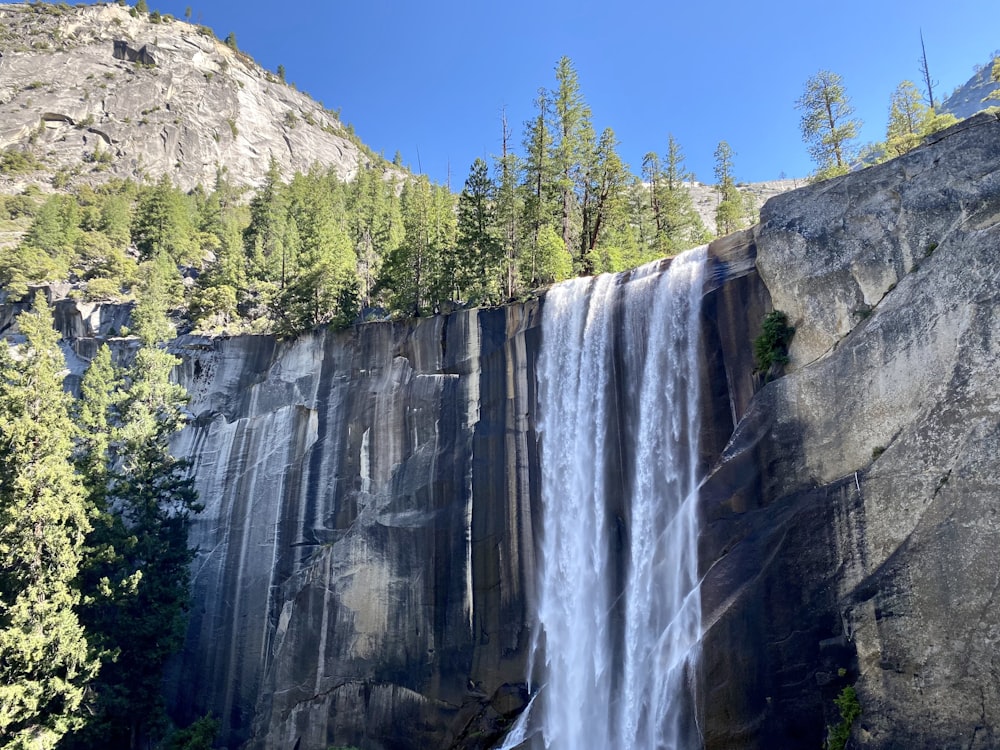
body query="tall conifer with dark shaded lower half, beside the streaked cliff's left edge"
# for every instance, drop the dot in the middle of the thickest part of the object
(137, 574)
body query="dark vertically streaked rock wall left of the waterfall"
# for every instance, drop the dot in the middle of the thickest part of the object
(365, 556)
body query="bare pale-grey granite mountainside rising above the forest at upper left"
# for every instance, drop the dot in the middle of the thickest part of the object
(93, 91)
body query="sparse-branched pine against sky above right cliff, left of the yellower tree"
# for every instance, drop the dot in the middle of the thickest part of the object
(827, 127)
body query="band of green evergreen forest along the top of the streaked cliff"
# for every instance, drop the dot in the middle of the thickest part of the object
(308, 250)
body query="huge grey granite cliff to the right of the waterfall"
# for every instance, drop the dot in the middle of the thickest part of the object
(851, 530)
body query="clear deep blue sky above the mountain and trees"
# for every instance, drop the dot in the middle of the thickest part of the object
(430, 77)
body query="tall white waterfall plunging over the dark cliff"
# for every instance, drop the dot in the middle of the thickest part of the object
(619, 609)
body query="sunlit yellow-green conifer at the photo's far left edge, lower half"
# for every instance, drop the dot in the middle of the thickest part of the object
(45, 662)
